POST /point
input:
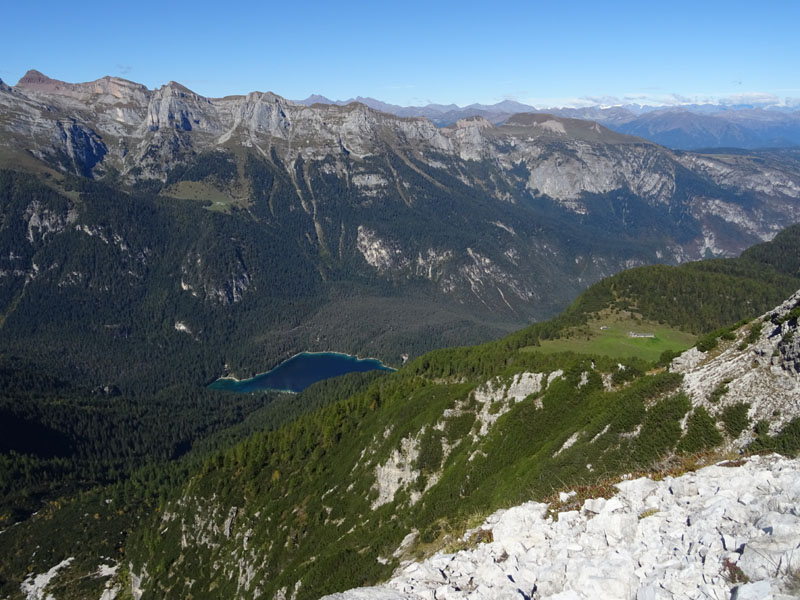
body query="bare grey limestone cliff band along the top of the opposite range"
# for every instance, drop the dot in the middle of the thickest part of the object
(89, 127)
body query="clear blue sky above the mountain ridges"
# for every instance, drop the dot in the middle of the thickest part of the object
(415, 52)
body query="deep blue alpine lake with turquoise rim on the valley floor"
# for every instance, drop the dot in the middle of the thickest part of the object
(300, 371)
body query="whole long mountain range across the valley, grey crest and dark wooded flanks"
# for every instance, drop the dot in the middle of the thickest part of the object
(432, 235)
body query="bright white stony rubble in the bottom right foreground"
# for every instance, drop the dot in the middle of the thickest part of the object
(725, 531)
